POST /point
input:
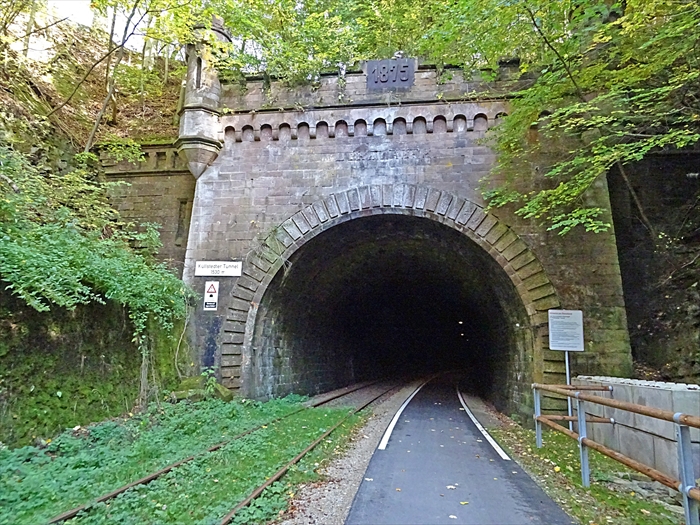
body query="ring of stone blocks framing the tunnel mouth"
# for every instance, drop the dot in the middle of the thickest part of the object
(261, 265)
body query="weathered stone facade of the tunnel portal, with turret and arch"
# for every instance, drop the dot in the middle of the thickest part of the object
(276, 166)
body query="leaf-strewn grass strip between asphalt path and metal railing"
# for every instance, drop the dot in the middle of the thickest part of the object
(557, 469)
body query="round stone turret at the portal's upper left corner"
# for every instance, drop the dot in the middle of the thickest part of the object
(199, 140)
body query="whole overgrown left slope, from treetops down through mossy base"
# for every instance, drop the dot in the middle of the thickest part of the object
(63, 246)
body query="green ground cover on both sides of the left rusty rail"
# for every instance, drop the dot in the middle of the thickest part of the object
(82, 464)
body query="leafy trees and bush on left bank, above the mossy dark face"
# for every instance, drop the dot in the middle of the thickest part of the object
(61, 242)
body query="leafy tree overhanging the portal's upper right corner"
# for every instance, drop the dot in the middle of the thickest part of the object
(613, 82)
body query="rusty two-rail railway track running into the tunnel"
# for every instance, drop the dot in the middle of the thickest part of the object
(359, 396)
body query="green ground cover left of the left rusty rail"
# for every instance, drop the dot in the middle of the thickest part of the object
(78, 466)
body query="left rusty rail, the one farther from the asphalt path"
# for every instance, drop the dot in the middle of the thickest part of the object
(319, 401)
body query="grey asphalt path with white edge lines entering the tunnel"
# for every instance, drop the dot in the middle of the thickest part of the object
(438, 468)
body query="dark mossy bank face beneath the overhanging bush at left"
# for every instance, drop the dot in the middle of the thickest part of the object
(44, 389)
